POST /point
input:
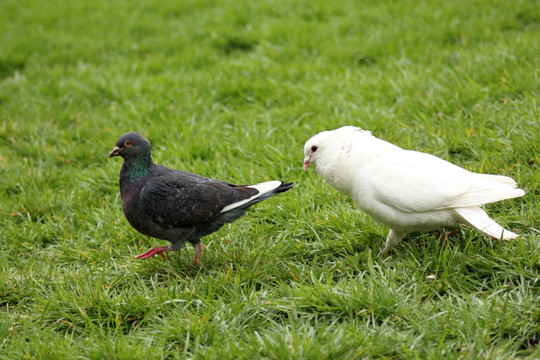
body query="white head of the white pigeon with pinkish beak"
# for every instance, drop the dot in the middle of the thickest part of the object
(324, 146)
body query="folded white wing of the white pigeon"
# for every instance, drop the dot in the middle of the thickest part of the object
(418, 182)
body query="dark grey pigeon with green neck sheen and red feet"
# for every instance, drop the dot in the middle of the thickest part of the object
(179, 206)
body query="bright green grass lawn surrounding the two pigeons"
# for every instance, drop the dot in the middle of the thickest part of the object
(232, 90)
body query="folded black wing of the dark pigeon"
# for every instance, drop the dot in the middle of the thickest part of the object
(180, 198)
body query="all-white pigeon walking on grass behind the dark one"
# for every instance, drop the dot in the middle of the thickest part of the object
(403, 189)
